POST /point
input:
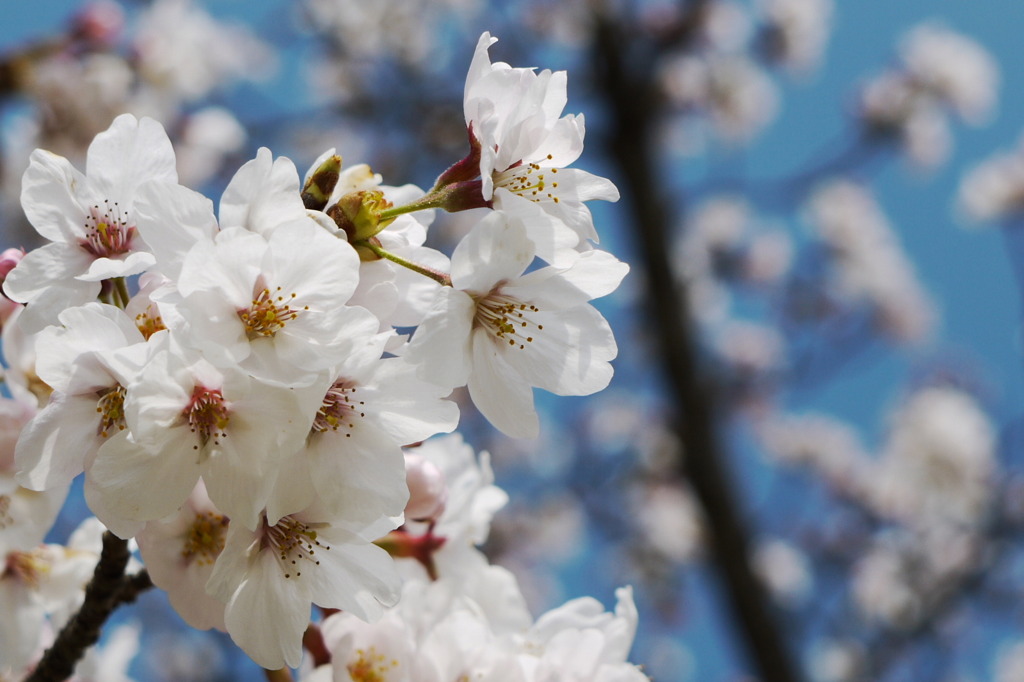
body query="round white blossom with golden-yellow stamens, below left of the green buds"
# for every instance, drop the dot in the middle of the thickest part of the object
(275, 306)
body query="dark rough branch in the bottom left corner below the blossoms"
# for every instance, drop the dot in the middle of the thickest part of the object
(103, 595)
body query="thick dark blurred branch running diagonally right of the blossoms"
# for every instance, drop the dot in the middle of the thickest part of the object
(625, 82)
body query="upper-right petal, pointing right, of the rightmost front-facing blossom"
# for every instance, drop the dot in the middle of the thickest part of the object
(595, 274)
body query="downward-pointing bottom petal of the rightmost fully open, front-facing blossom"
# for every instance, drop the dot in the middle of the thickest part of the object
(499, 393)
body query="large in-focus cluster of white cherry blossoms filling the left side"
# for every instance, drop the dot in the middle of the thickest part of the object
(244, 413)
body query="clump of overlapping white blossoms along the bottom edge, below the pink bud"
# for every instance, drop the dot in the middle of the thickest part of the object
(479, 628)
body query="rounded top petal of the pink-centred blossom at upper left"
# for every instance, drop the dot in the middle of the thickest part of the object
(130, 153)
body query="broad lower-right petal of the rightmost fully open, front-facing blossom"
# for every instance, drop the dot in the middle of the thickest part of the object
(570, 357)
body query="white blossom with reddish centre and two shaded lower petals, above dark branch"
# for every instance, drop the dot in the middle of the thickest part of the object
(188, 418)
